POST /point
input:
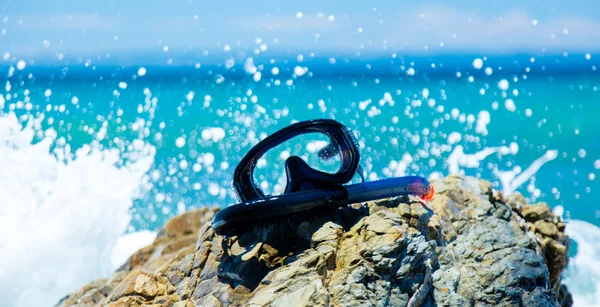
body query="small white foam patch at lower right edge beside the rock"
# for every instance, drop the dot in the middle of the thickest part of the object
(583, 272)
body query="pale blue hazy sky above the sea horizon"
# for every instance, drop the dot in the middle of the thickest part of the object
(41, 28)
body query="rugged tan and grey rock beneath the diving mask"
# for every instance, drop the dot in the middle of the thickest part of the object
(471, 247)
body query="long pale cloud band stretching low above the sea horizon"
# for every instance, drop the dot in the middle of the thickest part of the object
(414, 29)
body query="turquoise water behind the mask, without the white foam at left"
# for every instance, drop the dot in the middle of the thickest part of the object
(555, 109)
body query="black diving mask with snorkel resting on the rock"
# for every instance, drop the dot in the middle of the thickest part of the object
(307, 188)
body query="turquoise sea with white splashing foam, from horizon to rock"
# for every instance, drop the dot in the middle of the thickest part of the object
(94, 158)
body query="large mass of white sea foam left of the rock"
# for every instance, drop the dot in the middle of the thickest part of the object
(62, 214)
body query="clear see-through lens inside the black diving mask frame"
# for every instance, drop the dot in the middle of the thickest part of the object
(316, 149)
